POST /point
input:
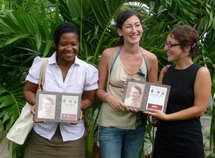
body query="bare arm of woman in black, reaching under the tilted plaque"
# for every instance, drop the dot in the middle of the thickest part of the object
(202, 91)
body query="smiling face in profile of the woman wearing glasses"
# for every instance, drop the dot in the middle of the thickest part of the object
(175, 53)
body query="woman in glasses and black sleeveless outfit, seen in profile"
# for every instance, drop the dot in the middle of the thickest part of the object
(179, 130)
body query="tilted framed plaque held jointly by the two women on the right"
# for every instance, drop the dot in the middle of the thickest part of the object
(144, 96)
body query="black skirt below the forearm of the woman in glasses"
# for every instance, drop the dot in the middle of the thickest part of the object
(179, 139)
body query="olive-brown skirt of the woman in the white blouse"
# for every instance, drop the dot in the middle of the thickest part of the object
(39, 147)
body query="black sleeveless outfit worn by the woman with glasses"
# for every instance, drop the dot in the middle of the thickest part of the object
(179, 139)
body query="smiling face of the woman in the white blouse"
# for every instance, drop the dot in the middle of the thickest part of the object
(68, 47)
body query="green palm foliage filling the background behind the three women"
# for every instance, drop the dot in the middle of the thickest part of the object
(31, 34)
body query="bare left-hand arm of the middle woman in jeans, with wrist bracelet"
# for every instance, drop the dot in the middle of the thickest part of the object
(101, 93)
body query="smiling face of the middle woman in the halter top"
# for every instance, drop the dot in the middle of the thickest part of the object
(131, 30)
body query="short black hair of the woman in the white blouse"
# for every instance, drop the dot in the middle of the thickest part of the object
(65, 28)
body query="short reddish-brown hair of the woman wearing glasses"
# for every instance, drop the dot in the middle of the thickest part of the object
(186, 36)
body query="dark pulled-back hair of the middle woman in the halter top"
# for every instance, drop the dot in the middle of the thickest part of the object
(121, 18)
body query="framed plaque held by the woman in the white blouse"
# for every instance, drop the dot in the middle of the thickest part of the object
(57, 107)
